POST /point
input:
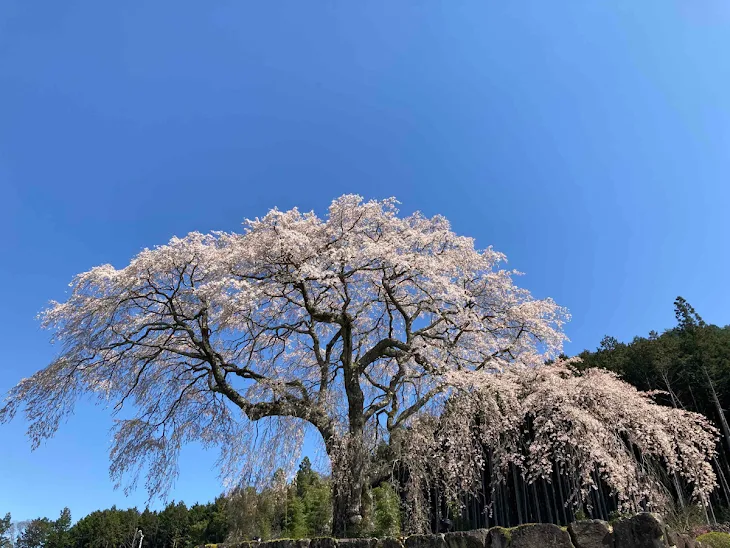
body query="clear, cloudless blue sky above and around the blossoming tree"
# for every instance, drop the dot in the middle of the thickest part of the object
(589, 141)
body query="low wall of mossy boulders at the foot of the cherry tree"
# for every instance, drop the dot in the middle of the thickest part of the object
(639, 531)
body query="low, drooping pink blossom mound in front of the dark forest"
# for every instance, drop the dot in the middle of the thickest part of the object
(550, 421)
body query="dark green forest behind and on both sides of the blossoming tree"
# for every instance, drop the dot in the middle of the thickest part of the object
(687, 365)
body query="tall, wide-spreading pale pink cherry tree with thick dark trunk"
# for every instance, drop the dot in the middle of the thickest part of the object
(352, 325)
